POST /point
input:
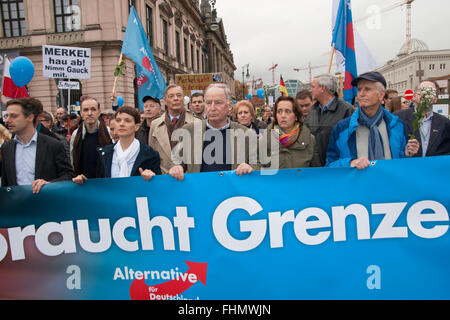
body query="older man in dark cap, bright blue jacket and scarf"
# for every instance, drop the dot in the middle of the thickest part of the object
(371, 133)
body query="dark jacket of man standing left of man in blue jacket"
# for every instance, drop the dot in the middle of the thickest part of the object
(321, 125)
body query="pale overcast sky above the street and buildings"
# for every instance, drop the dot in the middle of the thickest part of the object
(294, 33)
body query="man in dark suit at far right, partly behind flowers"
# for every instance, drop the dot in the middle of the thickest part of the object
(434, 135)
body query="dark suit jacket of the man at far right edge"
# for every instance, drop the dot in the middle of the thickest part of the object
(439, 144)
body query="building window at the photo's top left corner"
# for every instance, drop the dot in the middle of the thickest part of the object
(13, 17)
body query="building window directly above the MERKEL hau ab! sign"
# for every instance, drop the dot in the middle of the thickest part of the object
(67, 15)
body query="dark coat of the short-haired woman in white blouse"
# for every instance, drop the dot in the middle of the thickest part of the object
(146, 159)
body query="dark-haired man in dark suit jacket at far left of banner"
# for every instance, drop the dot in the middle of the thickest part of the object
(31, 158)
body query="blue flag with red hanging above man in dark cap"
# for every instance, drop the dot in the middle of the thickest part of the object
(343, 39)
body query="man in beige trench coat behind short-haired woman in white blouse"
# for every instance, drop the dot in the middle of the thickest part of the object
(162, 128)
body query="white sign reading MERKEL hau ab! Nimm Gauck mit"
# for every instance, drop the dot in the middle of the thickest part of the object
(66, 62)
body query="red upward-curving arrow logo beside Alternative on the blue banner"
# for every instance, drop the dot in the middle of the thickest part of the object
(139, 290)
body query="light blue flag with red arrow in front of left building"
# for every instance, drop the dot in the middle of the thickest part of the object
(150, 81)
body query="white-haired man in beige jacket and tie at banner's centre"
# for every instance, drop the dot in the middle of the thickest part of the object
(215, 144)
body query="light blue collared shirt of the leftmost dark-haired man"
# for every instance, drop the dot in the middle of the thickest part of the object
(26, 160)
